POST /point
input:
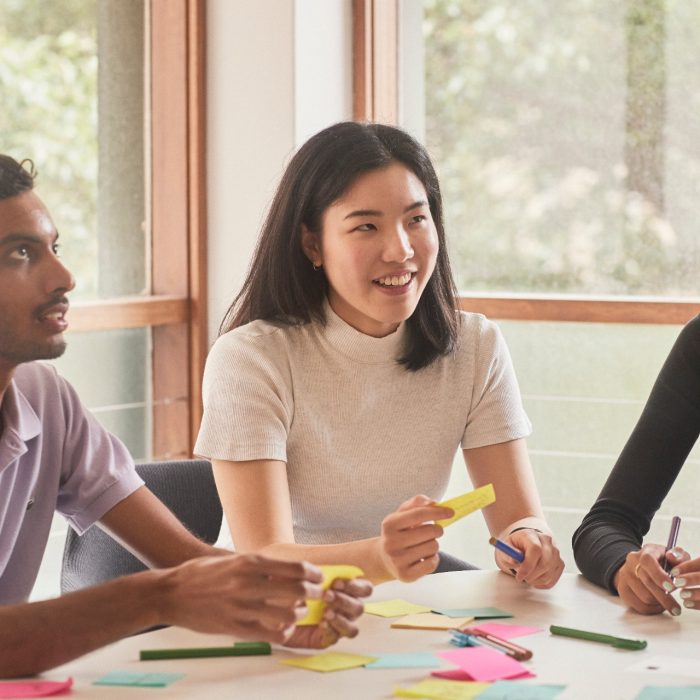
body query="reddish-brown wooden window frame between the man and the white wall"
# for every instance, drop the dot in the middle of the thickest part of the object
(176, 308)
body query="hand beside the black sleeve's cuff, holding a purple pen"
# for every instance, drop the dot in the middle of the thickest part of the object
(642, 583)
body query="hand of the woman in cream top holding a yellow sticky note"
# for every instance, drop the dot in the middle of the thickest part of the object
(408, 544)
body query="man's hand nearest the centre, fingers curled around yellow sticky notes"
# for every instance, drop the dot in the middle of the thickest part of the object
(342, 609)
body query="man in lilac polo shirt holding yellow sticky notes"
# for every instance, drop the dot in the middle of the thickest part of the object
(54, 456)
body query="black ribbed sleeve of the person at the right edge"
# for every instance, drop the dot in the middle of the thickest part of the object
(647, 466)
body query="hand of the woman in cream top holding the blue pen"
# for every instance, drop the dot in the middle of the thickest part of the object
(542, 565)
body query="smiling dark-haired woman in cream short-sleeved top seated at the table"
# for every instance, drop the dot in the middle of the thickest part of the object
(344, 380)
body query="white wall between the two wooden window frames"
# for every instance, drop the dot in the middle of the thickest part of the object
(277, 72)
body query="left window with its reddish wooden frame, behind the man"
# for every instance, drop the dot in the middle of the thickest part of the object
(106, 97)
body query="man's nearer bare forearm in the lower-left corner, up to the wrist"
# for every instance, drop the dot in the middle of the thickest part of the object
(38, 636)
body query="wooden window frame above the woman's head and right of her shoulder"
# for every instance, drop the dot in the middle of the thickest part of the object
(376, 99)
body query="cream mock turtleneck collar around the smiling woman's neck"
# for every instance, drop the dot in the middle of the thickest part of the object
(359, 346)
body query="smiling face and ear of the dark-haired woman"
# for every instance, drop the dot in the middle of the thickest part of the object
(378, 246)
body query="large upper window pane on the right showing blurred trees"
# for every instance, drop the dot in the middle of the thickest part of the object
(567, 143)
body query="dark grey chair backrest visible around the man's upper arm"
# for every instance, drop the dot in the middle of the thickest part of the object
(186, 487)
